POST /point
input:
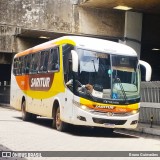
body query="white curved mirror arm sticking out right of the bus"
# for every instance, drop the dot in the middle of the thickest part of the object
(147, 68)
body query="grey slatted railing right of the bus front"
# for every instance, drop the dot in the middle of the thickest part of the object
(150, 102)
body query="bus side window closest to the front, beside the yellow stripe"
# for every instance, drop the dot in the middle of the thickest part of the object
(54, 63)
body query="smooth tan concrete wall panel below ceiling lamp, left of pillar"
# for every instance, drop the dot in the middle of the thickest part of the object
(100, 22)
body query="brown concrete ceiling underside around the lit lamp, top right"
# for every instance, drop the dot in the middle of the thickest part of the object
(144, 6)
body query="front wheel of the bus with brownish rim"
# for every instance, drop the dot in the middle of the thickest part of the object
(58, 123)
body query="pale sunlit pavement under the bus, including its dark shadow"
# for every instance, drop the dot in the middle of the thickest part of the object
(16, 135)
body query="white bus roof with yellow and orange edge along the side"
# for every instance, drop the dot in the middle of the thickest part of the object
(89, 43)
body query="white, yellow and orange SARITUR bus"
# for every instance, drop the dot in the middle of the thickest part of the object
(78, 80)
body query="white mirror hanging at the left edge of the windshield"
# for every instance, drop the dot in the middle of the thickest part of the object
(74, 61)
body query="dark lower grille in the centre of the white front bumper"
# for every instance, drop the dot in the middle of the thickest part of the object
(109, 121)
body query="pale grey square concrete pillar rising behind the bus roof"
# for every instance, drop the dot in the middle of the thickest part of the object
(133, 30)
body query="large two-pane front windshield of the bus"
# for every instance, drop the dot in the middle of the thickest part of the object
(106, 76)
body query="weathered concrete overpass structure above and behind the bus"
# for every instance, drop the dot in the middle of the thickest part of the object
(53, 18)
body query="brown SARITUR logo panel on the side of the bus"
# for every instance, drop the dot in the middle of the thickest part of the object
(41, 82)
